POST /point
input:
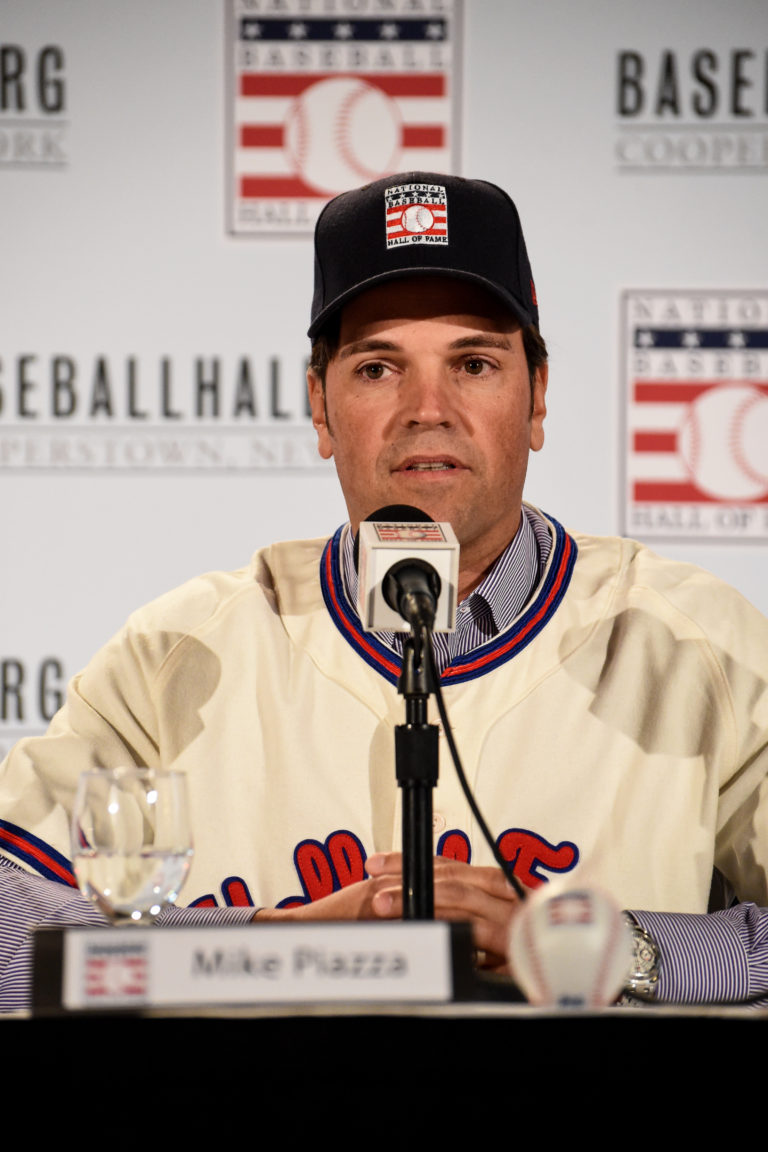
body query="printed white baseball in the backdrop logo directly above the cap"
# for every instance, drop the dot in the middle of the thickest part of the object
(341, 133)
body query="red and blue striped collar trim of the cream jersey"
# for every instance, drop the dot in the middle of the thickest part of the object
(483, 660)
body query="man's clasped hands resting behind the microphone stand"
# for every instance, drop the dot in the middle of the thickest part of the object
(462, 892)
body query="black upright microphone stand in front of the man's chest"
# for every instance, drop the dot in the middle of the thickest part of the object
(416, 768)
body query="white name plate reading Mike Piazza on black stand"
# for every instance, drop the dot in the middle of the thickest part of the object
(139, 968)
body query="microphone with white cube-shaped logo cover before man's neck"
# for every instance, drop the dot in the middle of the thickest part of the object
(408, 571)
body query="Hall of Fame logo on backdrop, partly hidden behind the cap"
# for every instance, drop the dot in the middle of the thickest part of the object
(329, 95)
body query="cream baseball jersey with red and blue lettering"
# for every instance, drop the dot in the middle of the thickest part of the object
(617, 732)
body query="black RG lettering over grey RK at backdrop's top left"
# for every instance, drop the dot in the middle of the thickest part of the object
(33, 107)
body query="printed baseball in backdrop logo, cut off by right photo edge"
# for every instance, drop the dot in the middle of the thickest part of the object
(723, 442)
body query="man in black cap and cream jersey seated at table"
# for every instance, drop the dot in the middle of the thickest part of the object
(611, 707)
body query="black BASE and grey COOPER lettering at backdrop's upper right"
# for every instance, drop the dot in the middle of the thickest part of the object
(693, 112)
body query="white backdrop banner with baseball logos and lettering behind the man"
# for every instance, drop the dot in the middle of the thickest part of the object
(162, 166)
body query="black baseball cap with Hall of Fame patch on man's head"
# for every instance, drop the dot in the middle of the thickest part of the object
(419, 224)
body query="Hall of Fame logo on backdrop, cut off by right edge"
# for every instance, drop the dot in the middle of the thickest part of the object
(696, 401)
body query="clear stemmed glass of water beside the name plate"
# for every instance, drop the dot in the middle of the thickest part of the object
(132, 842)
